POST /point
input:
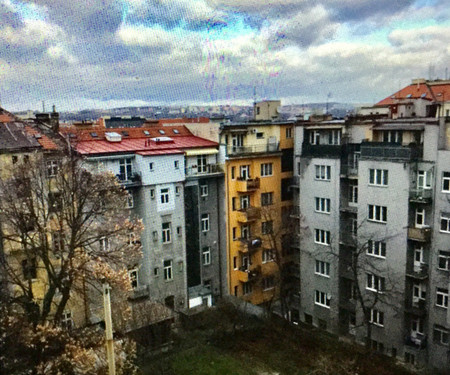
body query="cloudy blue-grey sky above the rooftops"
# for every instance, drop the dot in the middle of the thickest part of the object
(80, 54)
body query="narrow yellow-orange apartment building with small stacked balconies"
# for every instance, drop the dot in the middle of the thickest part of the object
(258, 158)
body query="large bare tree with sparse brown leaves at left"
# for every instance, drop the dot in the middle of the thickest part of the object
(64, 231)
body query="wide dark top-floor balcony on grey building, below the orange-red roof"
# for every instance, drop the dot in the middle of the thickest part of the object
(390, 151)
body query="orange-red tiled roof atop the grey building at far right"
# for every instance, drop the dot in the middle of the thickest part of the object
(425, 91)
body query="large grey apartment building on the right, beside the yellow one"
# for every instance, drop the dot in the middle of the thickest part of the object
(374, 204)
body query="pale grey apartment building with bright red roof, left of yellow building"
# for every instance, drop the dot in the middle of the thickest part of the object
(175, 186)
